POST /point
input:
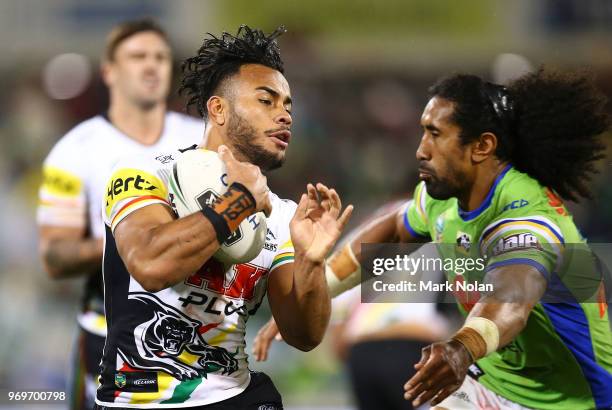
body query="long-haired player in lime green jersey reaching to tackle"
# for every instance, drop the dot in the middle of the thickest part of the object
(494, 163)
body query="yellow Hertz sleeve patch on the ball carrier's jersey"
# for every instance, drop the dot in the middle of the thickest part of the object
(128, 182)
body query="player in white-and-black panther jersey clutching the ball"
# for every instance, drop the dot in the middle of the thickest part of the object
(177, 316)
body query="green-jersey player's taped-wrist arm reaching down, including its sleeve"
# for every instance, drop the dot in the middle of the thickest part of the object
(521, 252)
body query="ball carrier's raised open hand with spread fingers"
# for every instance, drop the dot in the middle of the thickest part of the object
(318, 223)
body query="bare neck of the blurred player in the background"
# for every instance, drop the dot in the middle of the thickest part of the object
(144, 126)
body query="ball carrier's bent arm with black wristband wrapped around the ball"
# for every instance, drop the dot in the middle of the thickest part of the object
(160, 251)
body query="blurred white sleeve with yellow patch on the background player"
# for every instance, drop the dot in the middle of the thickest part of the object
(62, 199)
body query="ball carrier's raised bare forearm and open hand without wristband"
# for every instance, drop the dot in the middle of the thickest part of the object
(297, 291)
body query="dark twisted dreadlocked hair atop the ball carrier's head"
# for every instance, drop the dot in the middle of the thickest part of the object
(220, 58)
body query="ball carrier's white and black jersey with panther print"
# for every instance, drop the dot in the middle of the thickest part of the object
(185, 345)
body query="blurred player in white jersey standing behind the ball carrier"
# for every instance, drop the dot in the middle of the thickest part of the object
(137, 69)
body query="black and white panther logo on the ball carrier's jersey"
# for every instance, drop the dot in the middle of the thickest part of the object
(160, 341)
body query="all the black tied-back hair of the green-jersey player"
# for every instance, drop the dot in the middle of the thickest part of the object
(548, 124)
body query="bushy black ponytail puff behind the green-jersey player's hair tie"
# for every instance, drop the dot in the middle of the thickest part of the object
(559, 121)
